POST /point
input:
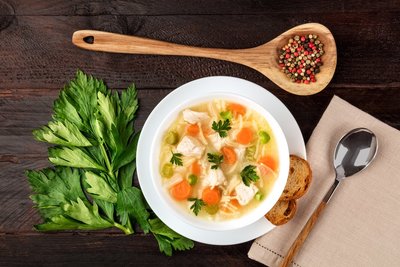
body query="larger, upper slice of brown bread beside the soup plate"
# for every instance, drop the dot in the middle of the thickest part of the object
(299, 179)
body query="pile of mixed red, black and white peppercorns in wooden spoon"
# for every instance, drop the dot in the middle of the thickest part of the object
(300, 59)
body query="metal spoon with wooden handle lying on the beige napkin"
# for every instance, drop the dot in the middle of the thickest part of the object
(354, 152)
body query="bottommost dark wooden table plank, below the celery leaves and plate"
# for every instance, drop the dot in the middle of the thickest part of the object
(96, 249)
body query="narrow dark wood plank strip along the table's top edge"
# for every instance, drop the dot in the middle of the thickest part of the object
(179, 7)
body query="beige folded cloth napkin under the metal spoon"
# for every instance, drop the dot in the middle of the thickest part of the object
(361, 224)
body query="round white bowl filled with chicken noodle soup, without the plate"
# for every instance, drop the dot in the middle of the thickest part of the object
(219, 162)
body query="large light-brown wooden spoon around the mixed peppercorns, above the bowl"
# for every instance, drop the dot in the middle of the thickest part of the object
(263, 58)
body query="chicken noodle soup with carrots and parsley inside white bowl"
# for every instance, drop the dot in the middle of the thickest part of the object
(218, 160)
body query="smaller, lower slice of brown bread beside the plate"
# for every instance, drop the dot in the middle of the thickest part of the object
(282, 212)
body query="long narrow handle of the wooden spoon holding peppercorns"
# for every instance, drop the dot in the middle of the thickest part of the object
(118, 43)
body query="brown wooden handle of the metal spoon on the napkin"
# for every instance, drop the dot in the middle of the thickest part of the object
(303, 235)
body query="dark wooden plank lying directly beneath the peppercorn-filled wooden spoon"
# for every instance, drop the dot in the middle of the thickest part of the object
(42, 45)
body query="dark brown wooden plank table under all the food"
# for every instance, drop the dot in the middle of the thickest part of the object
(37, 59)
